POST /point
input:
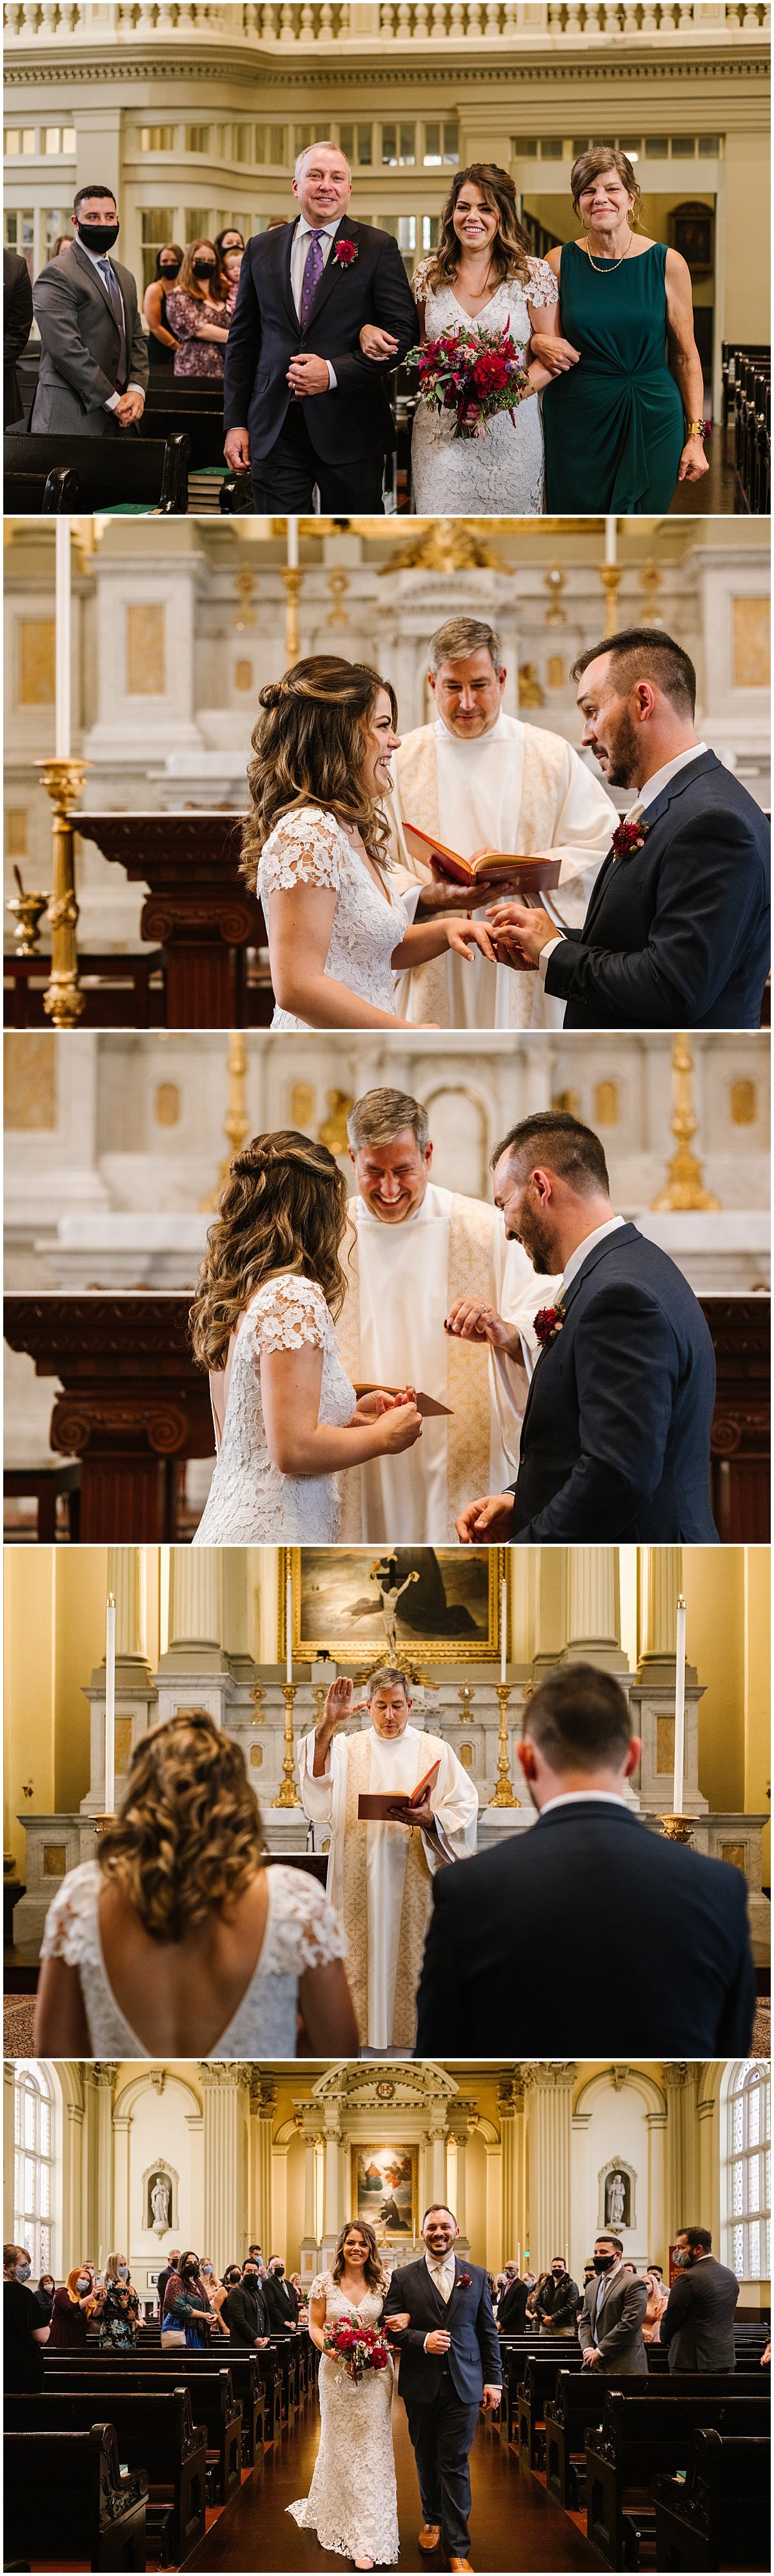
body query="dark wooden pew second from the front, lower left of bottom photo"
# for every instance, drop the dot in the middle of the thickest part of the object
(156, 2436)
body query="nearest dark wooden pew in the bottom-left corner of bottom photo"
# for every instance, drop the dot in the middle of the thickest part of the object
(66, 2497)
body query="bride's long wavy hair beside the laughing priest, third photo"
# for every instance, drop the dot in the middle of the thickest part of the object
(283, 1209)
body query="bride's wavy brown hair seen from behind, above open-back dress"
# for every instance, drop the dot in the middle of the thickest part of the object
(190, 1833)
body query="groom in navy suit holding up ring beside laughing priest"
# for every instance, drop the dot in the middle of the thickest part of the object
(615, 1441)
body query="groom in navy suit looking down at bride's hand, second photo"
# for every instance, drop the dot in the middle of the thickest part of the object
(677, 929)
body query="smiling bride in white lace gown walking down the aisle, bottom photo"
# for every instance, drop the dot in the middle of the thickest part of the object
(352, 2503)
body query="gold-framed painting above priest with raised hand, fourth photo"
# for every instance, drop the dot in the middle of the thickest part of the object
(357, 1606)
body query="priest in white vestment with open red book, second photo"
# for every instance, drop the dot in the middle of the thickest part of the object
(486, 782)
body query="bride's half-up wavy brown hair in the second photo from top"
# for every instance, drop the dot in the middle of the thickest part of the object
(311, 746)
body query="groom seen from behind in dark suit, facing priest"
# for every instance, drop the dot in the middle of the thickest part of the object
(587, 1926)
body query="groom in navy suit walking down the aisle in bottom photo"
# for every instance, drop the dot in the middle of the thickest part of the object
(450, 2369)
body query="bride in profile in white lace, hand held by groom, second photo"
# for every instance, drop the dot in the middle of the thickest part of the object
(316, 851)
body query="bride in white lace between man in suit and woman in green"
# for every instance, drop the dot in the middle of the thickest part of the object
(481, 277)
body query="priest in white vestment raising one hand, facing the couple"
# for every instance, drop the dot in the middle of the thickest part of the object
(381, 1874)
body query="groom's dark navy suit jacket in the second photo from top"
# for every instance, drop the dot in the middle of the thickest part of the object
(677, 936)
